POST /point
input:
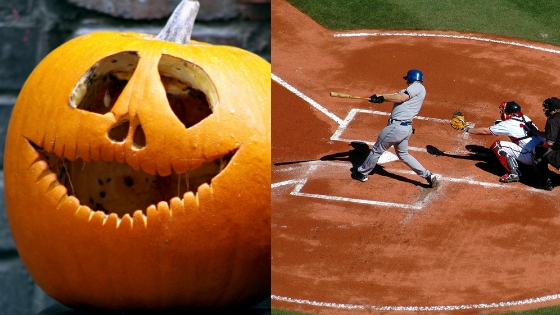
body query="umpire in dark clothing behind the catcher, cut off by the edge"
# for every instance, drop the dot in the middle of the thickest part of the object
(547, 152)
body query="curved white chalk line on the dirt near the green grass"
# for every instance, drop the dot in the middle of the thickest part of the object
(481, 39)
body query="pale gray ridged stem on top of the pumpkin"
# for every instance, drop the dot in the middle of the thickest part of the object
(180, 24)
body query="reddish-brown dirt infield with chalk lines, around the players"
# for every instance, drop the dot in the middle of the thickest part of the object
(391, 245)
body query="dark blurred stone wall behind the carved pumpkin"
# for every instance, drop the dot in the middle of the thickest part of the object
(30, 29)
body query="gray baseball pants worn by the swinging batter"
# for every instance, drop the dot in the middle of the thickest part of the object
(395, 134)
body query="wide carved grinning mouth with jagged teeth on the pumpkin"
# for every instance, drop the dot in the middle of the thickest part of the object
(114, 187)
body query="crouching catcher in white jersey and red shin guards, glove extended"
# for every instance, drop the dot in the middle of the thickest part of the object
(520, 130)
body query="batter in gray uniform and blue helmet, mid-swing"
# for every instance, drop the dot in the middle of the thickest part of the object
(406, 105)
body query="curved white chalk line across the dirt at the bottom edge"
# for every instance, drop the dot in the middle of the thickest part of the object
(368, 307)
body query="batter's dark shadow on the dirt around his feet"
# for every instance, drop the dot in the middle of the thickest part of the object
(358, 154)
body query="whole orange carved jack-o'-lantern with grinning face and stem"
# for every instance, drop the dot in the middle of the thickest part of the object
(137, 172)
